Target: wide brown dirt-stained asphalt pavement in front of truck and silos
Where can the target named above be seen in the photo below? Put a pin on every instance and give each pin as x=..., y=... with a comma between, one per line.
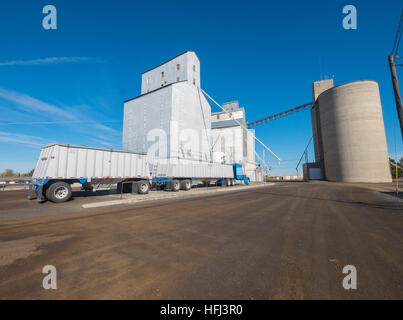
x=288, y=241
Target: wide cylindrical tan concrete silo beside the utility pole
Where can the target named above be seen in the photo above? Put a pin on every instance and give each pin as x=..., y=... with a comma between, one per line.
x=353, y=133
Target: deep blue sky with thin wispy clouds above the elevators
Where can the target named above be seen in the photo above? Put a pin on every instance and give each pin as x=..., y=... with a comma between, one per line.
x=68, y=85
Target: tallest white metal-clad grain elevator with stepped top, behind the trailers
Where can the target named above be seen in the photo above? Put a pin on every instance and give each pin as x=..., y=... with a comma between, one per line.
x=171, y=117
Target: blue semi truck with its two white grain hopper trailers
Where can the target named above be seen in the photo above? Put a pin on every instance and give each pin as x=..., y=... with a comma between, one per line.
x=61, y=165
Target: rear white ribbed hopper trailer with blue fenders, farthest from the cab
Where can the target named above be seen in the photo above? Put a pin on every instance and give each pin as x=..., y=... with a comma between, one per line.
x=59, y=166
